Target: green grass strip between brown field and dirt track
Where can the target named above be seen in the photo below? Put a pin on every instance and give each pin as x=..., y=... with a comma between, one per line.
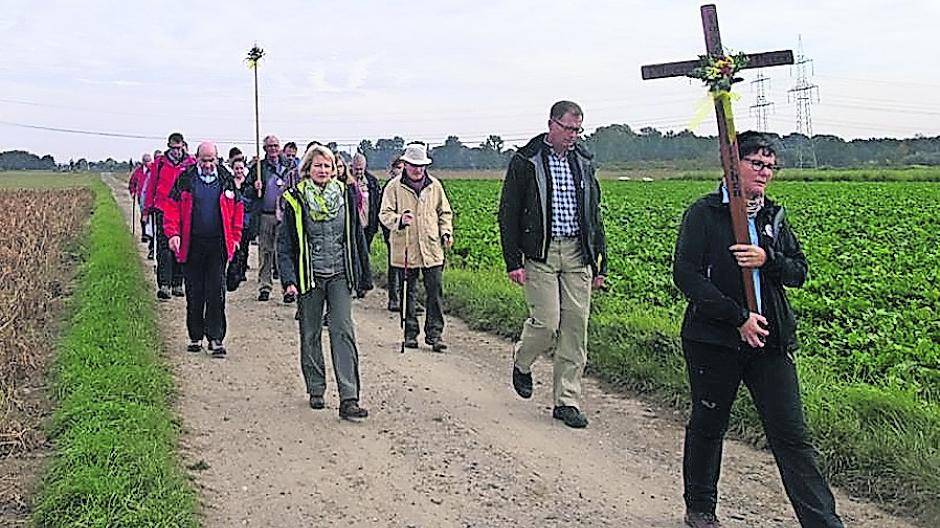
x=114, y=434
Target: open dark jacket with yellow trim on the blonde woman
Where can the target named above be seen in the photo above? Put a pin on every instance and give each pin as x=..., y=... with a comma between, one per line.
x=294, y=265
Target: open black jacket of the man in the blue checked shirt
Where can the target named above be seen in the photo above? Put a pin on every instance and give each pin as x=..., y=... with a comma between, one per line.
x=525, y=216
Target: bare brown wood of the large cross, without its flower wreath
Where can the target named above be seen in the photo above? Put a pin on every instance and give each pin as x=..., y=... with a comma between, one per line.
x=726, y=134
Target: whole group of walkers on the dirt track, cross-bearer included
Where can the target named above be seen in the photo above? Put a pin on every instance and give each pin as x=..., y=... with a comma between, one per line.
x=314, y=219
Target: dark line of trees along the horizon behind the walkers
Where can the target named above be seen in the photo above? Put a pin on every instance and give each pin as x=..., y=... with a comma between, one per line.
x=612, y=144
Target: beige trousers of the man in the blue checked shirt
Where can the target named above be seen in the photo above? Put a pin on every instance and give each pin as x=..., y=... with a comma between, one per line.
x=558, y=293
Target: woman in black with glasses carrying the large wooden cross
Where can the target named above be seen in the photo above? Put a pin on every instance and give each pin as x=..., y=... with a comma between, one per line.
x=725, y=343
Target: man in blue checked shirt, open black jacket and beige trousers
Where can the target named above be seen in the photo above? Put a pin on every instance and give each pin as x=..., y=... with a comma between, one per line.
x=553, y=243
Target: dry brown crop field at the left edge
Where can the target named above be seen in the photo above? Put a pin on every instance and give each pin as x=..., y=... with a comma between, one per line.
x=37, y=260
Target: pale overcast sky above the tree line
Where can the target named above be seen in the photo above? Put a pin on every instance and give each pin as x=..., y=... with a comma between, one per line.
x=350, y=70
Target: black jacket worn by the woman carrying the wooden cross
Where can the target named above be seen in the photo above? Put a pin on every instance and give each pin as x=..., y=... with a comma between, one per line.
x=708, y=275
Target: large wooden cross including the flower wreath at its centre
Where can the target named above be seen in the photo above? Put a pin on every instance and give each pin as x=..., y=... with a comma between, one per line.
x=717, y=69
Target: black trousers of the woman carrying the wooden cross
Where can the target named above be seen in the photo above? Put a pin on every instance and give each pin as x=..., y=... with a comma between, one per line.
x=715, y=372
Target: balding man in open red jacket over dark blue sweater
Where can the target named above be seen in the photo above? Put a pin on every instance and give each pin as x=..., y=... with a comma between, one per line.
x=203, y=216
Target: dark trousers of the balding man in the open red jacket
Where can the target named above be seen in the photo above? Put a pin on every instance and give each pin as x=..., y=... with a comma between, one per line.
x=205, y=295
